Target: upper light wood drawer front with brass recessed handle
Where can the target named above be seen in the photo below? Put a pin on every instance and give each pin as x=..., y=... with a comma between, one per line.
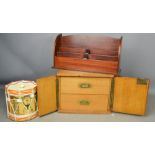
x=80, y=85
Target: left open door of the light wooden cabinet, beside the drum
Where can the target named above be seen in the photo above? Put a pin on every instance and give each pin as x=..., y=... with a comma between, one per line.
x=46, y=91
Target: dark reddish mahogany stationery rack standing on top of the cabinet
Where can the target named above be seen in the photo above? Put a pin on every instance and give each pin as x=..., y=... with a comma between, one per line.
x=91, y=53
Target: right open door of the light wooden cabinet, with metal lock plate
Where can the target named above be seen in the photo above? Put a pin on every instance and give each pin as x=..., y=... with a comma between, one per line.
x=130, y=95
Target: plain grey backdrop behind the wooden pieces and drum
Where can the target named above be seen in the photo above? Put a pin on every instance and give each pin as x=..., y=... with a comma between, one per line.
x=29, y=56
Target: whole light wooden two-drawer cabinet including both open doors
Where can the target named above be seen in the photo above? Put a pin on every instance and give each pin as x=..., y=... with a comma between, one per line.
x=81, y=92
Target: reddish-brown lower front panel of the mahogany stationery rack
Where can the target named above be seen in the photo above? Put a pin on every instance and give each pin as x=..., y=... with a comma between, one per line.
x=90, y=65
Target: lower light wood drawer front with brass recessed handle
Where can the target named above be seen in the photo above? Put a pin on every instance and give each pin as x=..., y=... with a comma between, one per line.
x=84, y=103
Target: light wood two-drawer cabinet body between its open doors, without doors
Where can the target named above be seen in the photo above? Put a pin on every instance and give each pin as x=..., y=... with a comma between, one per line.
x=83, y=94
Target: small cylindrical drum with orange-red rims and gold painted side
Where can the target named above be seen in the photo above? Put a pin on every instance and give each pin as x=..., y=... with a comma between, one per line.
x=21, y=100
